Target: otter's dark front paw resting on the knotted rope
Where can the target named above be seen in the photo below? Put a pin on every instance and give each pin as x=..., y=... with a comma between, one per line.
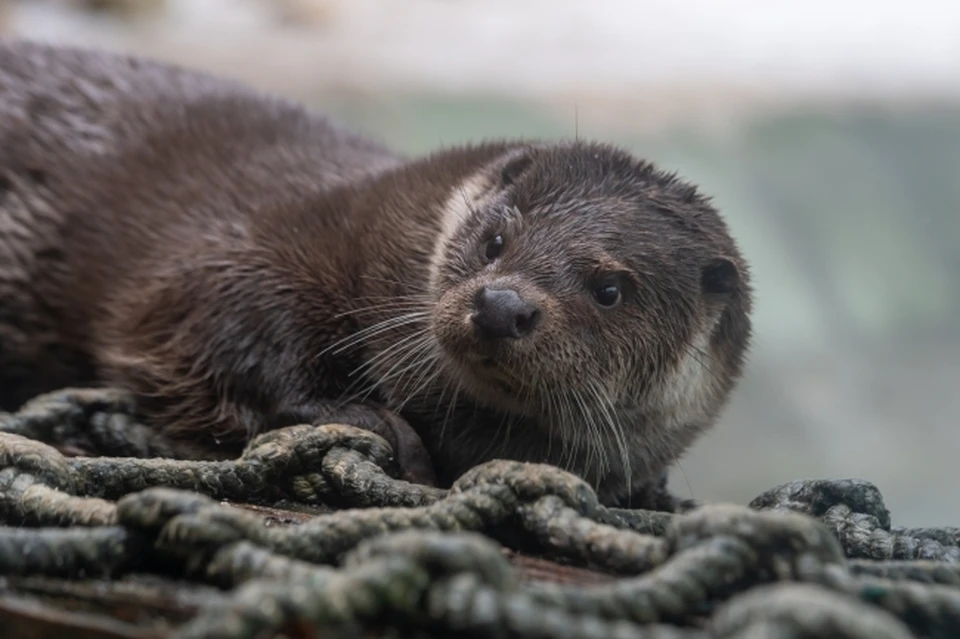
x=411, y=455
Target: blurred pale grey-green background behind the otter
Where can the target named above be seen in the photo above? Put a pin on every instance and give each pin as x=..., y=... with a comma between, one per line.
x=828, y=132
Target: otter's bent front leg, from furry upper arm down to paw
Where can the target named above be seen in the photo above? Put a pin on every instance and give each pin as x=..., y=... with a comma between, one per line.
x=216, y=355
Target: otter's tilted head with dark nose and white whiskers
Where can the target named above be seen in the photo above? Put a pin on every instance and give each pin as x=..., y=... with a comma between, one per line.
x=600, y=298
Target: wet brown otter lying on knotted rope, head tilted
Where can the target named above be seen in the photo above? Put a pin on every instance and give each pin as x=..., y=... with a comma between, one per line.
x=240, y=263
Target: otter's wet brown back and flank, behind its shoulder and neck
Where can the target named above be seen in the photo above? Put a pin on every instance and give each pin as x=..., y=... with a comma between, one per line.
x=107, y=160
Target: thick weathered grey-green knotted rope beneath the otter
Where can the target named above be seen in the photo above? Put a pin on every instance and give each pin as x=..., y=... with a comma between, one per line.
x=806, y=559
